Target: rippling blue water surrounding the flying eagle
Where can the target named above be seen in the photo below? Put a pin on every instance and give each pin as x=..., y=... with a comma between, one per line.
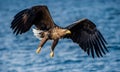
x=17, y=53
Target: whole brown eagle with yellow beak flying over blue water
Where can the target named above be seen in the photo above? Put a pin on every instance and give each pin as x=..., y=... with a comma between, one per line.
x=83, y=32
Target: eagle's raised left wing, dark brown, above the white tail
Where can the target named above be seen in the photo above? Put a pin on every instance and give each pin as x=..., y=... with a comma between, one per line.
x=37, y=15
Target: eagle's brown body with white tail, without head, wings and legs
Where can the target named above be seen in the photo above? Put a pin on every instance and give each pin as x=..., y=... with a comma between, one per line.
x=53, y=34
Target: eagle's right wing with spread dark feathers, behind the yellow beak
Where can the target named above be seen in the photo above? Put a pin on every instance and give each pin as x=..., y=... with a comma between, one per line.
x=85, y=33
